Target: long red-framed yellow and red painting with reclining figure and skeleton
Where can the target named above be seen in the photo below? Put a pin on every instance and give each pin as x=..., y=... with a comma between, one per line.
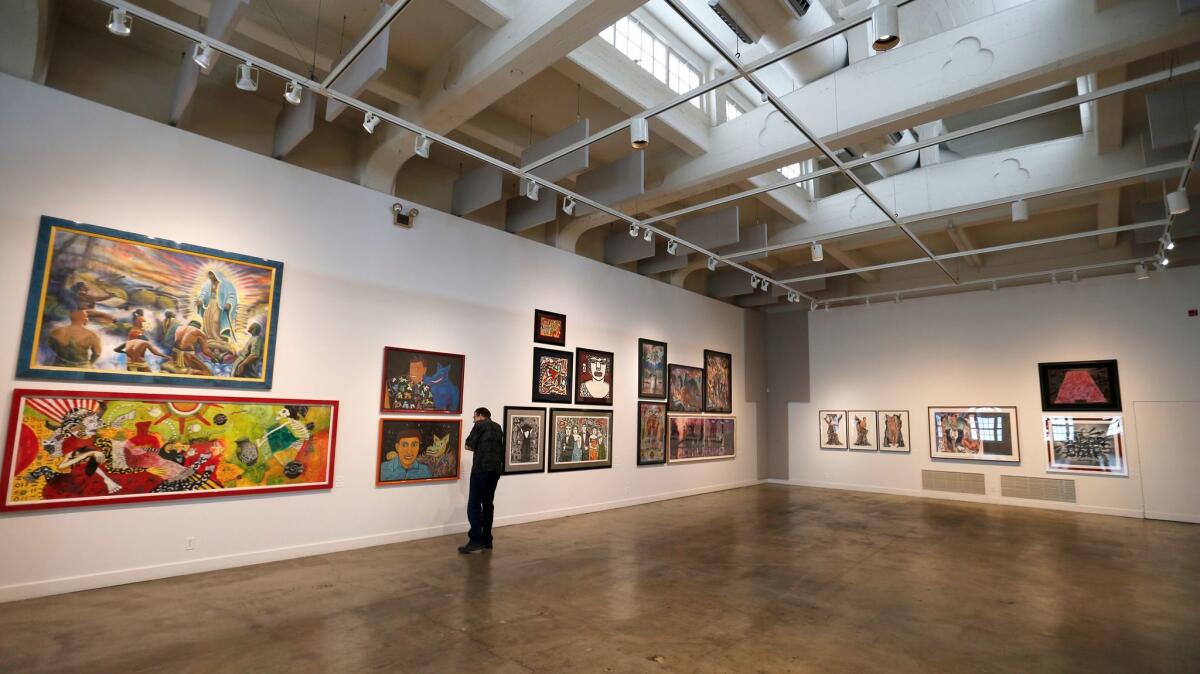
x=75, y=449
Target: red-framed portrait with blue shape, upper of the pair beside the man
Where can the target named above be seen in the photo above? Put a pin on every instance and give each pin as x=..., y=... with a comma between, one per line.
x=417, y=382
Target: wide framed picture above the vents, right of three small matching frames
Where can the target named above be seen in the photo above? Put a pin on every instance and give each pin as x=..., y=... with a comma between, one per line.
x=976, y=434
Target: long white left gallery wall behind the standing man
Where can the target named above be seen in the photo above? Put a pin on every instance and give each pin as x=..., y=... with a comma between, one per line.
x=352, y=285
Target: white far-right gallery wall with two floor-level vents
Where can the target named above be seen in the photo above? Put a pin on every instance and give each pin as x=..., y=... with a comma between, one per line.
x=983, y=350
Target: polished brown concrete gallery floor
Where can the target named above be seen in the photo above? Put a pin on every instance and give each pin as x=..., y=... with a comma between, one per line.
x=767, y=579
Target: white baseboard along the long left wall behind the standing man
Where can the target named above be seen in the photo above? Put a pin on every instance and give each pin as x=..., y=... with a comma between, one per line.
x=135, y=575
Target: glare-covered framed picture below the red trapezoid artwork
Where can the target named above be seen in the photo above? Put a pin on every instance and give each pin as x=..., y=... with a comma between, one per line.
x=1090, y=444
